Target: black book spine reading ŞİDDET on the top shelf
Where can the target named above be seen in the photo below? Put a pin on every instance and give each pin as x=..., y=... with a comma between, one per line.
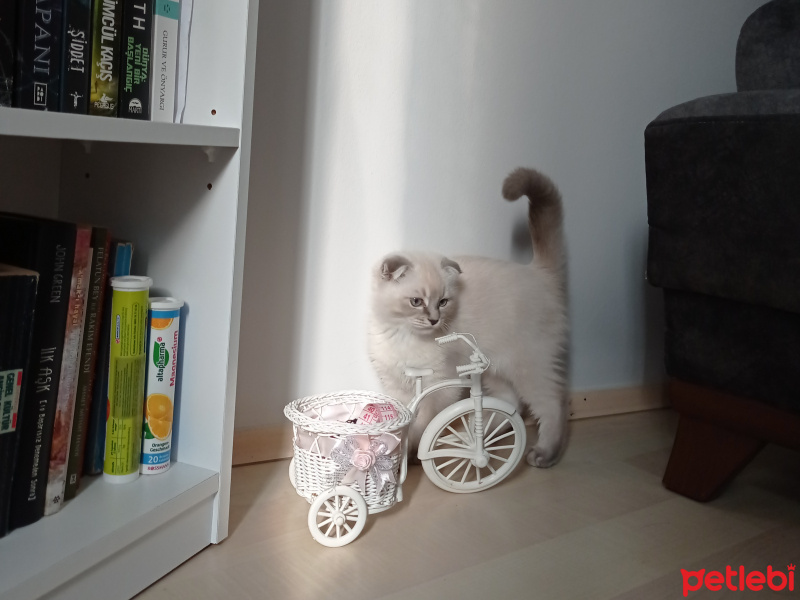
x=76, y=63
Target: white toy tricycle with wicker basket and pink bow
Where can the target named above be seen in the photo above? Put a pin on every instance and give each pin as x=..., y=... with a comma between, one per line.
x=348, y=465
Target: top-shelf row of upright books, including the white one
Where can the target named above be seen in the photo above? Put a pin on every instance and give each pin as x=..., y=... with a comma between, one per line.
x=113, y=58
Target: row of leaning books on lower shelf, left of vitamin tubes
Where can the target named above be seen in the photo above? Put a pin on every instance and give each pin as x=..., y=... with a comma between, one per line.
x=54, y=320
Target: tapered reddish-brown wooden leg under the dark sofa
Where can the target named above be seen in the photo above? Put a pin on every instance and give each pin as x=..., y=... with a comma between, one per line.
x=705, y=457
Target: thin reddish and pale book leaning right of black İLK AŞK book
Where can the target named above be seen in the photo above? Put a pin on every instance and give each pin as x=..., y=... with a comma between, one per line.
x=70, y=365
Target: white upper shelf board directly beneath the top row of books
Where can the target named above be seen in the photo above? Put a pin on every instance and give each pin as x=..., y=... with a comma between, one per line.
x=36, y=124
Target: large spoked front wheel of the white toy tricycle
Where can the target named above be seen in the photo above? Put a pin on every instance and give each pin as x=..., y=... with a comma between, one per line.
x=448, y=449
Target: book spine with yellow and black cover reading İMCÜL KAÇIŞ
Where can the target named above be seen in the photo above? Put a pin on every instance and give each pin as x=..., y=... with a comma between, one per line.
x=104, y=80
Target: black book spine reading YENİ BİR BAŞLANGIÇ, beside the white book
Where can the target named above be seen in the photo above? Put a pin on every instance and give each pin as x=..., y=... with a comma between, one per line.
x=137, y=33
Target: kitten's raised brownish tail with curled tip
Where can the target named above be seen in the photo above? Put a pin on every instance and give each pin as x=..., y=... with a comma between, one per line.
x=545, y=214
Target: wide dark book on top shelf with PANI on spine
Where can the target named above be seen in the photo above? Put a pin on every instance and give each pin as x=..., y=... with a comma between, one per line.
x=37, y=73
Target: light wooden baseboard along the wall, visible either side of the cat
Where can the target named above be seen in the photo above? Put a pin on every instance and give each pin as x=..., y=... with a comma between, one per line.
x=274, y=442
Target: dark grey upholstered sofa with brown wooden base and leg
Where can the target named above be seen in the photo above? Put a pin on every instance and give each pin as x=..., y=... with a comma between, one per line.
x=723, y=196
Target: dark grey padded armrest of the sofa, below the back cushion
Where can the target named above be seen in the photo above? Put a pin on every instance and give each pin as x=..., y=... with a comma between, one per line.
x=723, y=194
